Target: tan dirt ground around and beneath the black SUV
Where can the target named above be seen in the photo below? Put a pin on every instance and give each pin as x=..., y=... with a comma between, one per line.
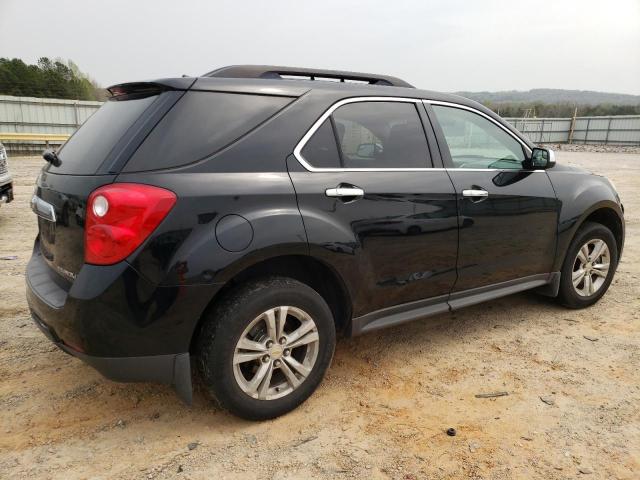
x=572, y=377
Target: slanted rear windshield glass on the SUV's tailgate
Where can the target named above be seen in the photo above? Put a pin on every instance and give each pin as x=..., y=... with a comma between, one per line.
x=85, y=151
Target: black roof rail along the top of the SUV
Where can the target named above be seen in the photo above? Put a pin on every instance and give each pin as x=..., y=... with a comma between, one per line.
x=288, y=73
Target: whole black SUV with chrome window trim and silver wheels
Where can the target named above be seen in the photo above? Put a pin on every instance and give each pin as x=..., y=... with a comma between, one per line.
x=245, y=217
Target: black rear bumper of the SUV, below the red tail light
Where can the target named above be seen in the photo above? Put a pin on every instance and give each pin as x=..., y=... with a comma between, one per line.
x=115, y=321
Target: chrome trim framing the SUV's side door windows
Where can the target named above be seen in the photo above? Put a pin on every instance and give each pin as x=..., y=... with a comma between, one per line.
x=297, y=151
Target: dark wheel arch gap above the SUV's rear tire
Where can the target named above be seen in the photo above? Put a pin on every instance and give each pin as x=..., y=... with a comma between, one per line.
x=304, y=268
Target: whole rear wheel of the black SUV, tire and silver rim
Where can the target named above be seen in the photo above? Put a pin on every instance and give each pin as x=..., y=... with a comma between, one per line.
x=266, y=347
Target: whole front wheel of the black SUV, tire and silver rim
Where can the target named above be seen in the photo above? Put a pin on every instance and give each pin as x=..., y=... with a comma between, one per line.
x=589, y=266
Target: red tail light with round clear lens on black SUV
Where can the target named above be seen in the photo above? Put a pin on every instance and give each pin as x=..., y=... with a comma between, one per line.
x=120, y=217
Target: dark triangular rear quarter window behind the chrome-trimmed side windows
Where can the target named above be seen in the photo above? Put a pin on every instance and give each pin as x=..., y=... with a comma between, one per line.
x=201, y=124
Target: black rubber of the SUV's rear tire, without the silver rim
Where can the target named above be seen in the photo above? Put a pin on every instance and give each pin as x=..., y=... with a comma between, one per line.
x=217, y=345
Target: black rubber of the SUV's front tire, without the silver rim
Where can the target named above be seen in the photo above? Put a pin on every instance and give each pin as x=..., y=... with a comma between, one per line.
x=567, y=295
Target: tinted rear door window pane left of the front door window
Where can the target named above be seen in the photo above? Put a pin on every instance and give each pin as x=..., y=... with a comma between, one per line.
x=381, y=135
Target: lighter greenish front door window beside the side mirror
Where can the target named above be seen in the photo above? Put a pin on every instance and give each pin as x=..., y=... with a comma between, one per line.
x=475, y=142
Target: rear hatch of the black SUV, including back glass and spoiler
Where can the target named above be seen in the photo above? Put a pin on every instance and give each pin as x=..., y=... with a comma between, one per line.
x=93, y=157
